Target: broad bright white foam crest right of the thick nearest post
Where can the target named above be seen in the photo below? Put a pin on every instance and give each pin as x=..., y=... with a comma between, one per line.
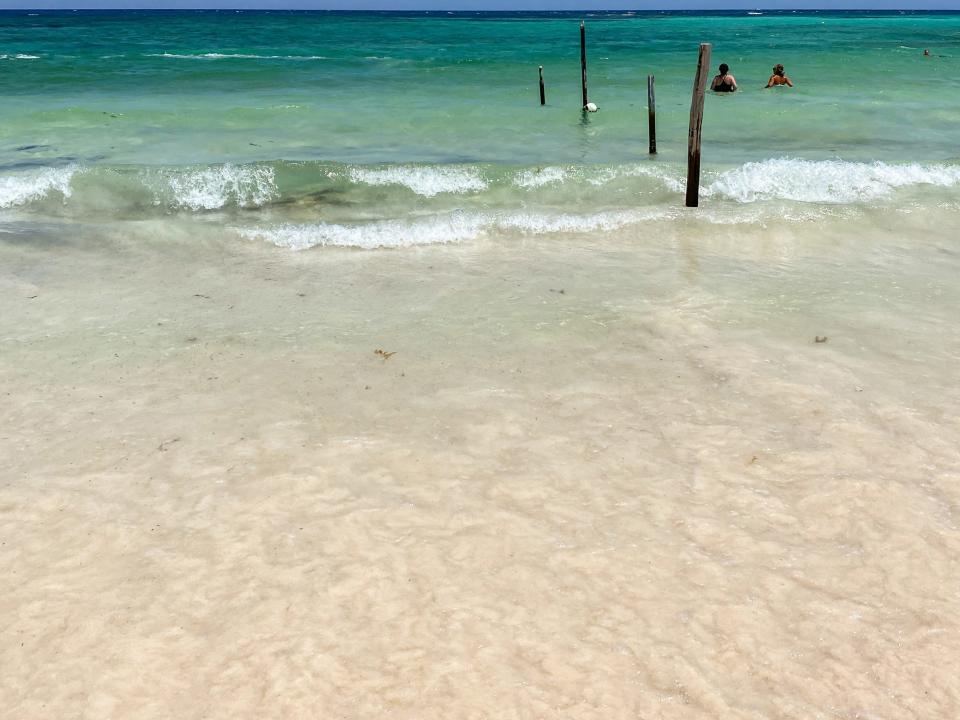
x=830, y=181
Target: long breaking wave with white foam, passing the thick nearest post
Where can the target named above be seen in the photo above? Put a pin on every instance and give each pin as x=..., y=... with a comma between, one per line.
x=346, y=195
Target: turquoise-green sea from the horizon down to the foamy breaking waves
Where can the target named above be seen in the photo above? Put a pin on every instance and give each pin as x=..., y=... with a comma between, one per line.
x=353, y=118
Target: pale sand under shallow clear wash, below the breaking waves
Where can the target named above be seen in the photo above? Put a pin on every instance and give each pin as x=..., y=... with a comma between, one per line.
x=602, y=477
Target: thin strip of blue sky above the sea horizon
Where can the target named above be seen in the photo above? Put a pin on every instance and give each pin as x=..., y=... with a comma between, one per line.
x=488, y=4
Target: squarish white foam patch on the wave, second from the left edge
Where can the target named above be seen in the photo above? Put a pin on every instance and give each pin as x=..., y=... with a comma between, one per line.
x=215, y=187
